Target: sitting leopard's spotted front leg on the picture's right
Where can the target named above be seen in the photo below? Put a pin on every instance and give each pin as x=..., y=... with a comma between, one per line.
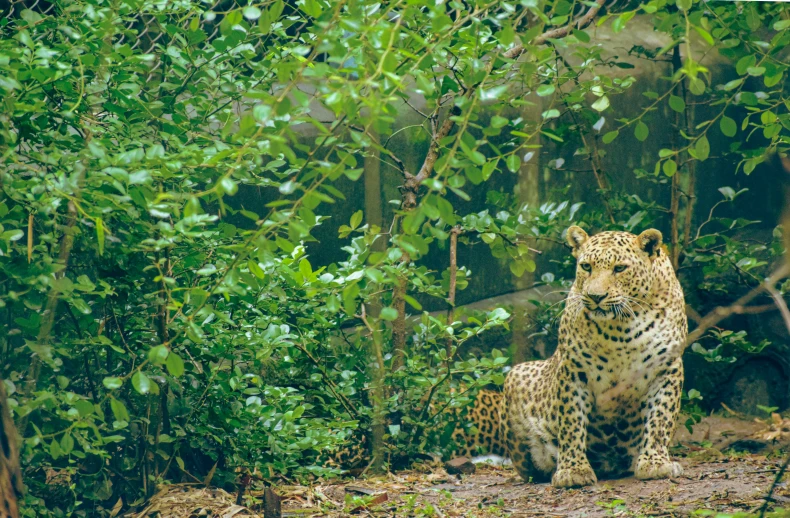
x=660, y=414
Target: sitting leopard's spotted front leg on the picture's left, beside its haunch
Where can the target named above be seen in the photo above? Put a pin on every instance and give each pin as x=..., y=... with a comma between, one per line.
x=572, y=408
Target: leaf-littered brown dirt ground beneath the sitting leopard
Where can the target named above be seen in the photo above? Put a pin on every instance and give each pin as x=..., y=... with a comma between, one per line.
x=717, y=481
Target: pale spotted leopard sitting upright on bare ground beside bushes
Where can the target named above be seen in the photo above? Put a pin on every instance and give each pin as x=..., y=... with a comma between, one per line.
x=606, y=402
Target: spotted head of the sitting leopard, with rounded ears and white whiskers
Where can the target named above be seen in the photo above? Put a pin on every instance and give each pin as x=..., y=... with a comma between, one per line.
x=614, y=272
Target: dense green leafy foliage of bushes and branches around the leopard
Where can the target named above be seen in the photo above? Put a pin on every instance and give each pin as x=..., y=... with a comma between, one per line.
x=156, y=327
